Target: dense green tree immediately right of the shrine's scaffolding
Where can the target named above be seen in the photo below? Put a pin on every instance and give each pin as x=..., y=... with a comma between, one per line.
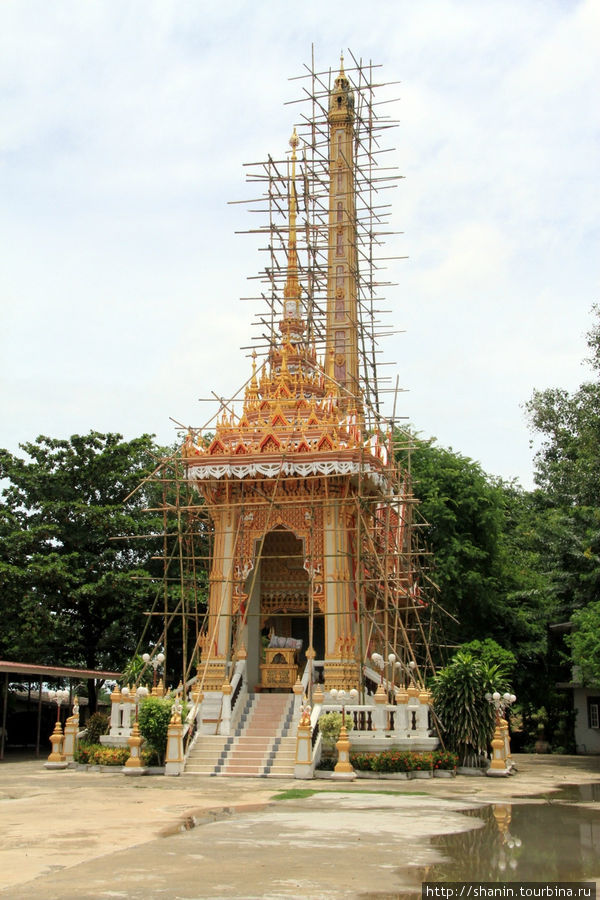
x=485, y=562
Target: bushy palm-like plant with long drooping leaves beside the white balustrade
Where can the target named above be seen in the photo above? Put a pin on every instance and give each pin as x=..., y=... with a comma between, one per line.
x=466, y=718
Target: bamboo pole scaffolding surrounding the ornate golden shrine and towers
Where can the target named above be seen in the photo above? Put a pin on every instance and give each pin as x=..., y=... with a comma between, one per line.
x=385, y=553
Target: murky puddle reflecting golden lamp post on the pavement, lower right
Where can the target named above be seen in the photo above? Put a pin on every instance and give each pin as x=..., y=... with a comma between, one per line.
x=535, y=841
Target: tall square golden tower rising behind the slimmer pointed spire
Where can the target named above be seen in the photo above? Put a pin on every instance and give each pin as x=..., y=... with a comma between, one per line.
x=341, y=358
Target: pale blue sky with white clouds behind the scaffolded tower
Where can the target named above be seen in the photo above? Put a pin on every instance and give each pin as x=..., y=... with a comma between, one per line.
x=124, y=127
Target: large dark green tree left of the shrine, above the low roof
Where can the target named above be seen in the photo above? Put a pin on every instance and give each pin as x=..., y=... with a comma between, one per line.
x=67, y=591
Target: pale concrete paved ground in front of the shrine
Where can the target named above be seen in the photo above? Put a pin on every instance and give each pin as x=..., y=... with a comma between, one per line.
x=71, y=834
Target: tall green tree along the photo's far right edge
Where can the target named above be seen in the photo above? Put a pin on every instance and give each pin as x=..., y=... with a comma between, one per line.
x=566, y=531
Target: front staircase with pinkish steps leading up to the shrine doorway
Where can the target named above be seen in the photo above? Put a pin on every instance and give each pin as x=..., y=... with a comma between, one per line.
x=263, y=746
